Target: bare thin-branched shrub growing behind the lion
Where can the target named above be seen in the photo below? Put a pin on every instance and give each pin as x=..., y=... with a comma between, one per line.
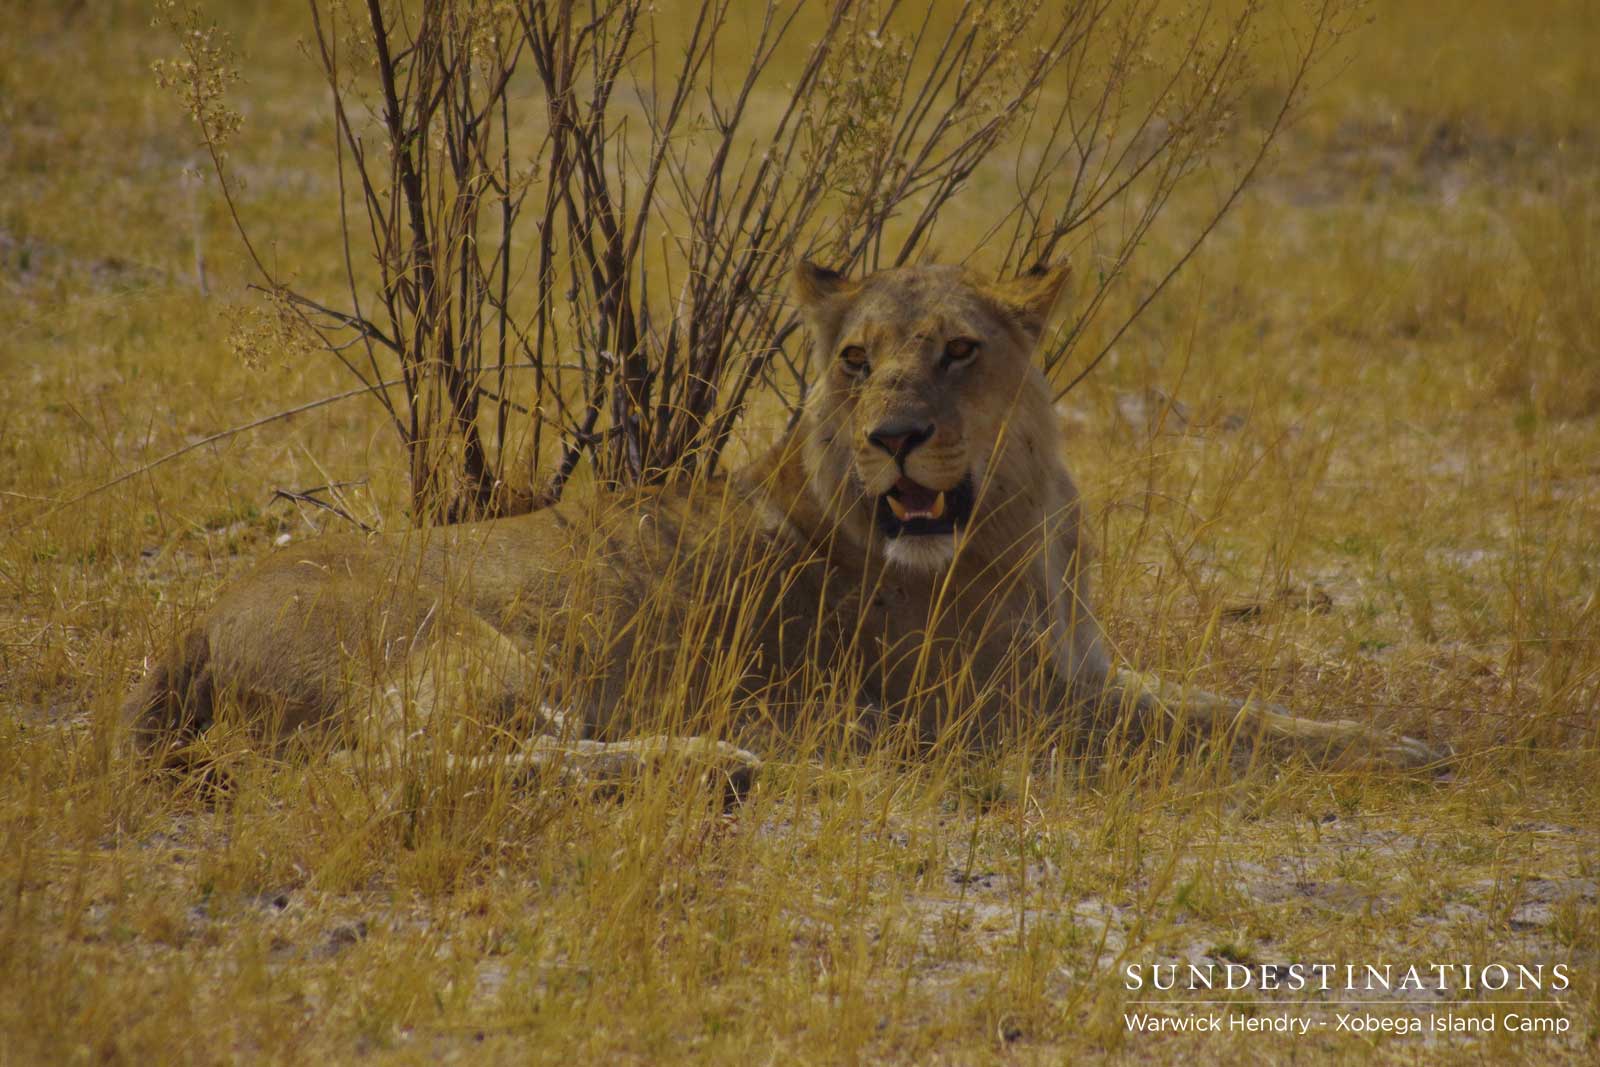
x=569, y=225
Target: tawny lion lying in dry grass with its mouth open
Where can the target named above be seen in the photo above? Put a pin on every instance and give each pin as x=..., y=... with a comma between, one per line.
x=908, y=556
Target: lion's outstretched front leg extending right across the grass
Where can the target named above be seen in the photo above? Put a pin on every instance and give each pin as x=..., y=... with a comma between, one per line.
x=1338, y=743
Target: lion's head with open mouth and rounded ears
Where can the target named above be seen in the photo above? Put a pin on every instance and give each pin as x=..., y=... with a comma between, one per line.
x=930, y=423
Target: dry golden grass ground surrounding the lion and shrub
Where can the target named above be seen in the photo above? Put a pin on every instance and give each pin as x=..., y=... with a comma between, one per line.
x=1353, y=460
